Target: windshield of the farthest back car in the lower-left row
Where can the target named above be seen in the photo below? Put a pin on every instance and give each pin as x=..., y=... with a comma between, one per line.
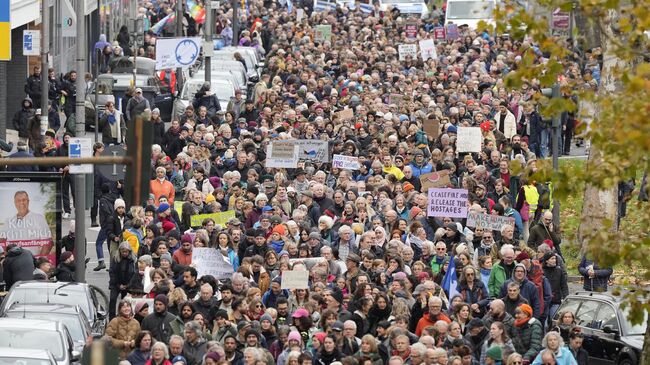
x=67, y=295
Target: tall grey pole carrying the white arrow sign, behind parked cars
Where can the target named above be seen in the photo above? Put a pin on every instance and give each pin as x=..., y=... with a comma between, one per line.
x=80, y=180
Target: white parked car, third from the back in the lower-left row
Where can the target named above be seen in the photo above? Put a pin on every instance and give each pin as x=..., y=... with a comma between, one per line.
x=39, y=334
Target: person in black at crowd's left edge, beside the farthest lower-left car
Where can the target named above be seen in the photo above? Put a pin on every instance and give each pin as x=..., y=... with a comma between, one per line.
x=120, y=274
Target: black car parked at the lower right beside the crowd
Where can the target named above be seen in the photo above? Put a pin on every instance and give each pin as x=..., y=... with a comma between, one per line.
x=609, y=337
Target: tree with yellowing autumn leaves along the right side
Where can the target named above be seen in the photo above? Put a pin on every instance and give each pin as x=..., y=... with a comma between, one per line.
x=620, y=129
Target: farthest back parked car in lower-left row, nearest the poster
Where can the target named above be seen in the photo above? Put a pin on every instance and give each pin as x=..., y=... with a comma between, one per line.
x=92, y=300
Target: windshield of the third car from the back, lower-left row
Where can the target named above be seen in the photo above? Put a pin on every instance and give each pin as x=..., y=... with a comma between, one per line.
x=33, y=339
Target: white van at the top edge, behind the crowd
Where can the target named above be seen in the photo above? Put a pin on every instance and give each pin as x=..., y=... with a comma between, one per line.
x=470, y=12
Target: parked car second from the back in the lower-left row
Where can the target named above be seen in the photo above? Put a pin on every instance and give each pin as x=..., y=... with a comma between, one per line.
x=71, y=316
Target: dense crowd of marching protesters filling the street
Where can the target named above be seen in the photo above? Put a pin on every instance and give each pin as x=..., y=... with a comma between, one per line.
x=378, y=264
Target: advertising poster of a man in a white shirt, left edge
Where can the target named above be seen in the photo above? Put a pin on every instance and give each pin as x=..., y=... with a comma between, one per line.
x=31, y=217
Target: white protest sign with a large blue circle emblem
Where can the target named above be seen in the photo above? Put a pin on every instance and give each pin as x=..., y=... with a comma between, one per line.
x=177, y=52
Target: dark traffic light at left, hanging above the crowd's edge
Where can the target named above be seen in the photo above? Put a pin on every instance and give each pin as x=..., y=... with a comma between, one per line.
x=139, y=139
